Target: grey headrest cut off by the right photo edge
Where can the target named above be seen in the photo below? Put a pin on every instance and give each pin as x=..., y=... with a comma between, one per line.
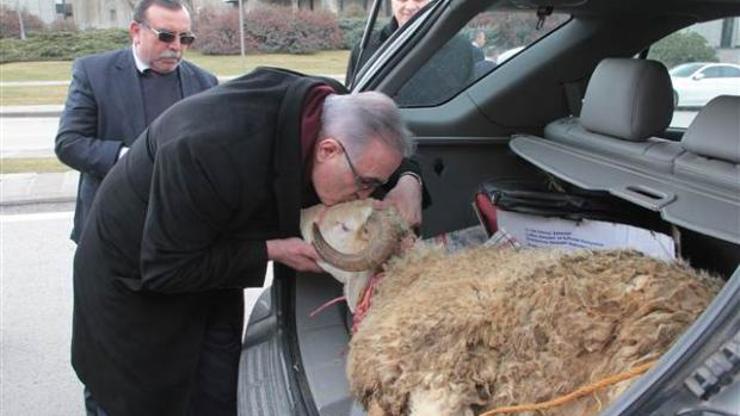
x=715, y=132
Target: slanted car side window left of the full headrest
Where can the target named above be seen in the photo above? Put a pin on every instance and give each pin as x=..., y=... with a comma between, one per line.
x=487, y=41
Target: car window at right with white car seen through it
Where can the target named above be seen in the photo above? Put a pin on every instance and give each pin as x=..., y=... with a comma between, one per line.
x=697, y=50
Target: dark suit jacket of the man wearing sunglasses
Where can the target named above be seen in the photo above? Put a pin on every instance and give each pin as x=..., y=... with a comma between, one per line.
x=104, y=111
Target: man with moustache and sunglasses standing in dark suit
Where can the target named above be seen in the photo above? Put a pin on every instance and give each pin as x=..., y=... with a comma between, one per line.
x=115, y=95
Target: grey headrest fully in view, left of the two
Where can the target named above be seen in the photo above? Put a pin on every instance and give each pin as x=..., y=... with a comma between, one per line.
x=631, y=99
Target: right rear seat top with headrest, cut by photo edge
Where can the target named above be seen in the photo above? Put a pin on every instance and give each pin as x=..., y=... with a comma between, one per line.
x=712, y=145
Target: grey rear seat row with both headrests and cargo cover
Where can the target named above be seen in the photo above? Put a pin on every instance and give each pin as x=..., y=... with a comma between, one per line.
x=694, y=184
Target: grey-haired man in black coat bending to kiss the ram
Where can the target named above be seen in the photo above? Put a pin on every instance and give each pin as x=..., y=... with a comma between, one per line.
x=208, y=194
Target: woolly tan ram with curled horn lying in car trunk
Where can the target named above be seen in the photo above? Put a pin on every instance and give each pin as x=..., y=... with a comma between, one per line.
x=456, y=334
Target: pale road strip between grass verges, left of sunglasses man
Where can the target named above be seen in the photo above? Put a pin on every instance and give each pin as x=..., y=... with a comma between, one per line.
x=27, y=137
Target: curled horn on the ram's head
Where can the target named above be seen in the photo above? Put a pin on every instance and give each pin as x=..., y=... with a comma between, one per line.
x=384, y=235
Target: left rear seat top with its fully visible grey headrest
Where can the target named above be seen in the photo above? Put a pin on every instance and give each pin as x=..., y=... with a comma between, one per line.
x=627, y=102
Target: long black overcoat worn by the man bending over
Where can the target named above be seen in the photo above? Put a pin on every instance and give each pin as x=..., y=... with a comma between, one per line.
x=178, y=227
